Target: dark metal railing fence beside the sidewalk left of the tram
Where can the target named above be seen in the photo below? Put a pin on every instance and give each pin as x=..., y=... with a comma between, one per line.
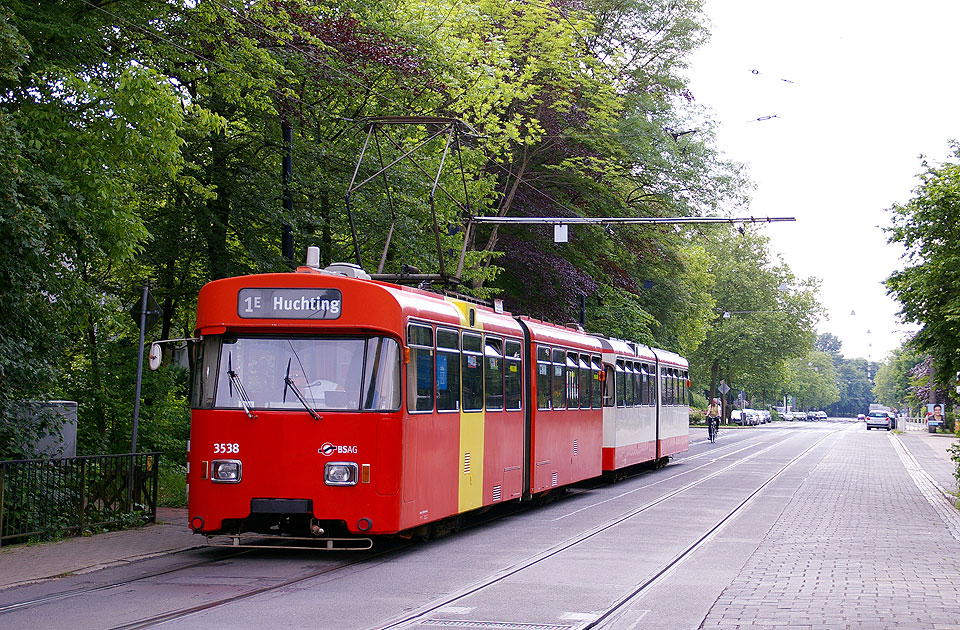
x=47, y=497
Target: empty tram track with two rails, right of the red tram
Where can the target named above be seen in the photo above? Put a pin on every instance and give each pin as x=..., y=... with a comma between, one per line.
x=421, y=617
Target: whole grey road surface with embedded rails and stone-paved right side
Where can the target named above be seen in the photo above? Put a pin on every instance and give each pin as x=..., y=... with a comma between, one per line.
x=812, y=525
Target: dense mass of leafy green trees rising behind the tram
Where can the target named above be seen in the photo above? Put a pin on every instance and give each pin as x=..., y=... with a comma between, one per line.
x=144, y=142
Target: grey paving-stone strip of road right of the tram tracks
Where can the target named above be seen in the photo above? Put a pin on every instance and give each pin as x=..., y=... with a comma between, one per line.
x=858, y=547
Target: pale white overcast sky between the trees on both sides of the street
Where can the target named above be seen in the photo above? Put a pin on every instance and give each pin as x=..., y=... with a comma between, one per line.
x=859, y=90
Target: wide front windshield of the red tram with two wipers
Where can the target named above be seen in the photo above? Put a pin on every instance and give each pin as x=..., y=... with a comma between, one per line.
x=332, y=374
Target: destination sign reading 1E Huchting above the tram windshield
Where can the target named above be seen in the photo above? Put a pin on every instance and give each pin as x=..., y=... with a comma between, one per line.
x=289, y=303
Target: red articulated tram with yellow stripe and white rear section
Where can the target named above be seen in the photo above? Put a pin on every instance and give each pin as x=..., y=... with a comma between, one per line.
x=340, y=408
